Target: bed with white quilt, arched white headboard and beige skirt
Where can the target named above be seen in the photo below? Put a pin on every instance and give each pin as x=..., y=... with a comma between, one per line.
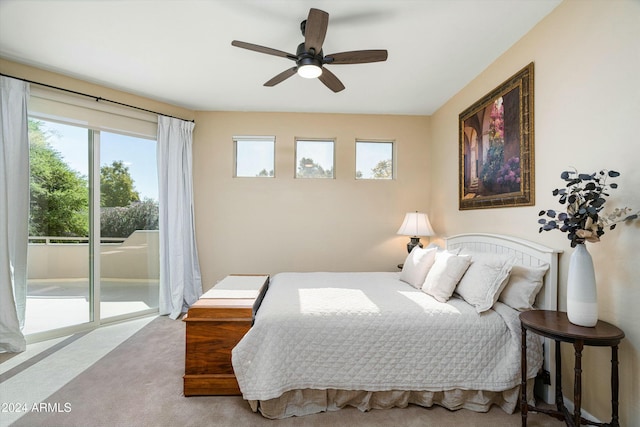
x=325, y=340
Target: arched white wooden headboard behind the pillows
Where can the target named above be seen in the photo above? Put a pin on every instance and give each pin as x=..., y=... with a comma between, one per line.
x=529, y=254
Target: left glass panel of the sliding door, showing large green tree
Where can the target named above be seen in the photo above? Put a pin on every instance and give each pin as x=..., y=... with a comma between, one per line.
x=58, y=290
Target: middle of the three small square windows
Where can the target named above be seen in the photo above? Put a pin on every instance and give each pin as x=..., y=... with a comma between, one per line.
x=314, y=158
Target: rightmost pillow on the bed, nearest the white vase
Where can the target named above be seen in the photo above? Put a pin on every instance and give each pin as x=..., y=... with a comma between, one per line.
x=523, y=286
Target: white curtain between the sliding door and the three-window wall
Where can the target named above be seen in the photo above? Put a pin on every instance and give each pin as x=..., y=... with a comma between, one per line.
x=180, y=281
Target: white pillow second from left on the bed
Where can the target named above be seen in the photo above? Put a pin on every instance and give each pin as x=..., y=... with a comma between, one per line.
x=445, y=274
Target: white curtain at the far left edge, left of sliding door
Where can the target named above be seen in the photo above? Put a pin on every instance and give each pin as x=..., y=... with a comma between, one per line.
x=14, y=212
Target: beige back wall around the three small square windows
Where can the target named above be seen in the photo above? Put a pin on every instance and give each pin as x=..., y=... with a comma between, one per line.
x=252, y=225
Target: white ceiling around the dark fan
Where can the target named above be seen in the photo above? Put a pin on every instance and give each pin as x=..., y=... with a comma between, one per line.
x=180, y=51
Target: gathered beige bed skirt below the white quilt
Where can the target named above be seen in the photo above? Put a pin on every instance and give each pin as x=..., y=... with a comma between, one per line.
x=311, y=401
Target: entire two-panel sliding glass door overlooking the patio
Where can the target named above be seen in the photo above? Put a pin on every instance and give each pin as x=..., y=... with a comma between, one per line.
x=93, y=227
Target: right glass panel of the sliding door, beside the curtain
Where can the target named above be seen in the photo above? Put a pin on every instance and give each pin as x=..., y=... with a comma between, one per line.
x=129, y=253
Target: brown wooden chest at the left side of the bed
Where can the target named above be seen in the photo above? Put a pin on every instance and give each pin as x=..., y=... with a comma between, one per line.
x=214, y=325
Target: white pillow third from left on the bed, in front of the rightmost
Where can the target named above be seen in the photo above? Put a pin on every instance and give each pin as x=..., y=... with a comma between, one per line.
x=485, y=278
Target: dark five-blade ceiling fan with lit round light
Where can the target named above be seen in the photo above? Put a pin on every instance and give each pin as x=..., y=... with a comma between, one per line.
x=309, y=57
